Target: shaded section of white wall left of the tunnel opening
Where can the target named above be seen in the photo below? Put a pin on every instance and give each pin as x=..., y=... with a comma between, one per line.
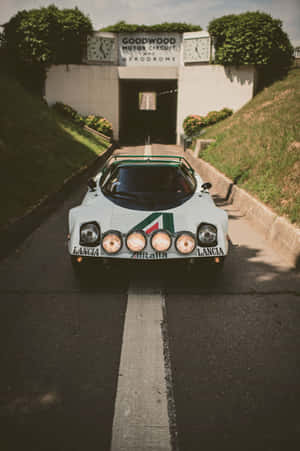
x=87, y=89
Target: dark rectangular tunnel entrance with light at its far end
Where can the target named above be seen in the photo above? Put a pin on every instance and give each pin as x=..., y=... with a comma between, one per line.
x=148, y=108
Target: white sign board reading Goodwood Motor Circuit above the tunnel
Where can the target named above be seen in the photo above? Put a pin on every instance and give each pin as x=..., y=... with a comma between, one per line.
x=149, y=49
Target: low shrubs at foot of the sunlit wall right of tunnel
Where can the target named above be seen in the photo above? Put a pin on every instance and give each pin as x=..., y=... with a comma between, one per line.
x=193, y=123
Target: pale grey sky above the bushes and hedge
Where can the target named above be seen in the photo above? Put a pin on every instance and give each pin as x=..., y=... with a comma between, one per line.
x=197, y=12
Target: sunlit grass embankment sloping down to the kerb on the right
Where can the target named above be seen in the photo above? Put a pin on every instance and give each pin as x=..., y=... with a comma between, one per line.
x=259, y=146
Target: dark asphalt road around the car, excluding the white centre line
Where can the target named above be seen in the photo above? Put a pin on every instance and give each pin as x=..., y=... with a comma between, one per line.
x=234, y=345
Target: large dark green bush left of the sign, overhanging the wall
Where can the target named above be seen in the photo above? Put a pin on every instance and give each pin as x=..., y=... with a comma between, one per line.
x=37, y=38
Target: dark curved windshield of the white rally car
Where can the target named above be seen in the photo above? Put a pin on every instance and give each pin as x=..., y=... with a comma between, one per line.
x=150, y=179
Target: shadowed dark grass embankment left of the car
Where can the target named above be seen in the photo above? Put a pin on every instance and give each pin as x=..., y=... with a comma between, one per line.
x=38, y=150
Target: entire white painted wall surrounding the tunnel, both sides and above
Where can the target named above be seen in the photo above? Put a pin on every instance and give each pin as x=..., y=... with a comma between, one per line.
x=94, y=89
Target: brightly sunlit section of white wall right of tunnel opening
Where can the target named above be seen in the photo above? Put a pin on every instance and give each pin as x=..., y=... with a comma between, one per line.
x=203, y=88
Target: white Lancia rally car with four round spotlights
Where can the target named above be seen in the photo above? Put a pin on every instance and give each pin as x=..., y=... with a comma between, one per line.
x=147, y=208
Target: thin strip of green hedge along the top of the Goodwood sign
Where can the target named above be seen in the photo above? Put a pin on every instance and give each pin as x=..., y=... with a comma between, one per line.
x=175, y=27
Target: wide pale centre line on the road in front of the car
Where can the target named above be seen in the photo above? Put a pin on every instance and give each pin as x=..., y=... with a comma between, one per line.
x=141, y=420
